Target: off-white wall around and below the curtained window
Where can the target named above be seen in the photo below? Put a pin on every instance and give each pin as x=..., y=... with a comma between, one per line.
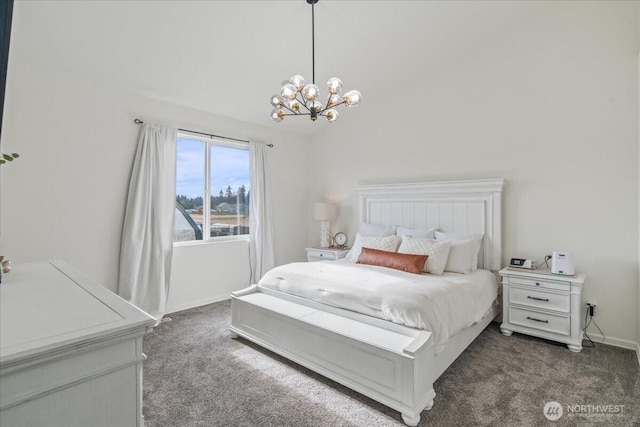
x=64, y=198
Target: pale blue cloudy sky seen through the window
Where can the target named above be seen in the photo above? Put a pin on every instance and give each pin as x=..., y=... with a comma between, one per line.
x=229, y=166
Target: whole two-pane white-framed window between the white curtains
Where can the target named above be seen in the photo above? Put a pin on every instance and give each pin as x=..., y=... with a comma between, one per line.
x=212, y=189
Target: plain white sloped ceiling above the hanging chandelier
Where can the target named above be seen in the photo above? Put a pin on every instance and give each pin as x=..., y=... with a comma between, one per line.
x=229, y=57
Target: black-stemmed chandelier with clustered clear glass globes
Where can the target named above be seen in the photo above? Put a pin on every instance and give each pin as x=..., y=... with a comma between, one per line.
x=300, y=98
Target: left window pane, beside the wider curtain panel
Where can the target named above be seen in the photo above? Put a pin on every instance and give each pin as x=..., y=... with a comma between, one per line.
x=189, y=190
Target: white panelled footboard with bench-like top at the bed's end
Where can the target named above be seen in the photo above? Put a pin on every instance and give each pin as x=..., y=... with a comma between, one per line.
x=389, y=363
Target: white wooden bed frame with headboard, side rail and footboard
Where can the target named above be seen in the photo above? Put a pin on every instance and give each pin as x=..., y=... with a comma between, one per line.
x=387, y=362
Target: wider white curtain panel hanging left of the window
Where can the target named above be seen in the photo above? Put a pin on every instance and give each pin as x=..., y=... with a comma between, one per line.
x=147, y=235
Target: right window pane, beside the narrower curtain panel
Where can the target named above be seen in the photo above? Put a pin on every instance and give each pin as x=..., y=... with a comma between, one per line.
x=229, y=191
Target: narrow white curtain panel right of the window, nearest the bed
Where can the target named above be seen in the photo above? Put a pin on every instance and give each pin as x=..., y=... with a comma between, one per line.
x=260, y=224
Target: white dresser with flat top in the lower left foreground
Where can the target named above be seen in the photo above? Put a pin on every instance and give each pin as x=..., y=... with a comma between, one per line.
x=70, y=351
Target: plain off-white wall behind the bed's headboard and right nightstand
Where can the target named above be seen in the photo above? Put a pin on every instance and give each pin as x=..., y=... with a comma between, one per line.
x=551, y=105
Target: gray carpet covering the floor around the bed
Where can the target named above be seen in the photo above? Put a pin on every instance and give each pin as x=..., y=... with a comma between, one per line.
x=196, y=375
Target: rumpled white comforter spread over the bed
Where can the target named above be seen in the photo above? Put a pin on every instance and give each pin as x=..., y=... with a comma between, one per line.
x=443, y=305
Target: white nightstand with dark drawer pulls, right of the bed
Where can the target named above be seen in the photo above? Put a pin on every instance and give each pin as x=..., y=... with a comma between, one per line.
x=535, y=302
